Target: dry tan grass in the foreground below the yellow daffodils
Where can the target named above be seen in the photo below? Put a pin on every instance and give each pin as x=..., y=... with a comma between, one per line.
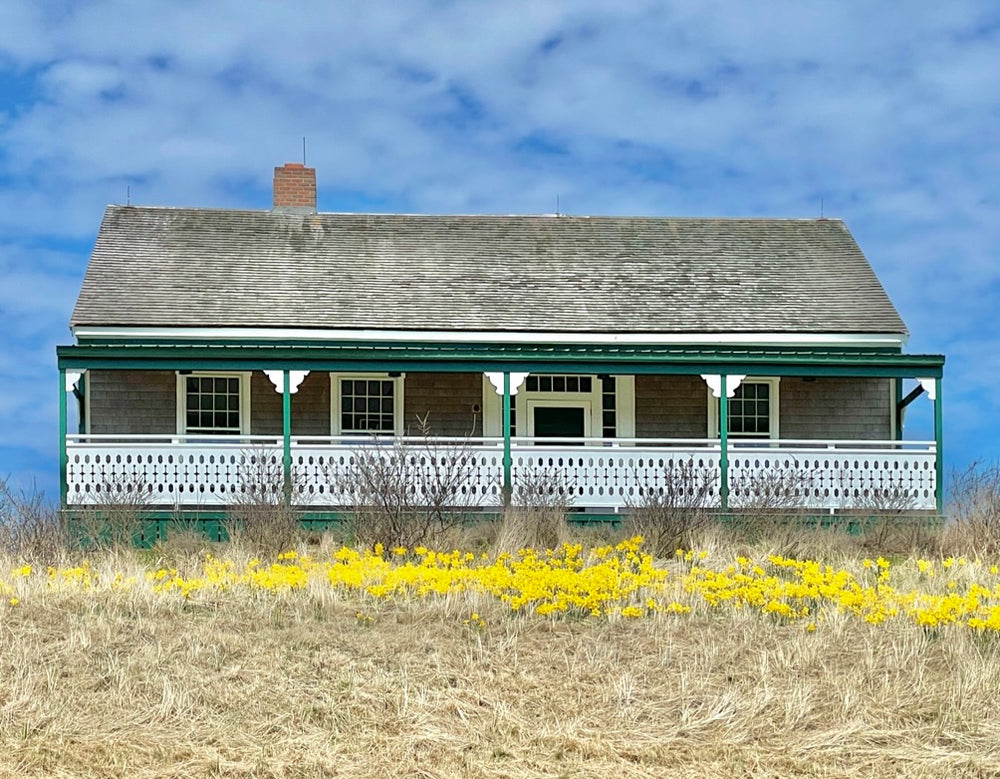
x=315, y=684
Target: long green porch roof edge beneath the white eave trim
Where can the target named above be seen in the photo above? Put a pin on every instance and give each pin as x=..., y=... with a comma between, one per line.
x=612, y=359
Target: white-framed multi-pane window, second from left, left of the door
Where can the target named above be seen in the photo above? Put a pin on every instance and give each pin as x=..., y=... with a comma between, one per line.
x=369, y=404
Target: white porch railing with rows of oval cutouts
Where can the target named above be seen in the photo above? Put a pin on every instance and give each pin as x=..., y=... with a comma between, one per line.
x=594, y=473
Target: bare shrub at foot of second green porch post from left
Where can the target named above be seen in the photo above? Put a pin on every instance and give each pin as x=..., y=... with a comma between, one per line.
x=261, y=515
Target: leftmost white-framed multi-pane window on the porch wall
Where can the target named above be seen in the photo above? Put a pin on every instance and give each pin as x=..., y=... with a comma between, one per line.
x=213, y=404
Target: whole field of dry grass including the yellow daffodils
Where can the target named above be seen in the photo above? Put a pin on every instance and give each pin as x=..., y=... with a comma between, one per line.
x=723, y=660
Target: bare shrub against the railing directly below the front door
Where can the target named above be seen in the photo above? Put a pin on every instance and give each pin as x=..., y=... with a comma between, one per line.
x=536, y=516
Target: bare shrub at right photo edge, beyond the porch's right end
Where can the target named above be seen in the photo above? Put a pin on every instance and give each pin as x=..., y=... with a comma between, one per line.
x=975, y=510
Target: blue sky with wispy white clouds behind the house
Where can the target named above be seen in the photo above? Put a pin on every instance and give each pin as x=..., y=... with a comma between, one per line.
x=886, y=113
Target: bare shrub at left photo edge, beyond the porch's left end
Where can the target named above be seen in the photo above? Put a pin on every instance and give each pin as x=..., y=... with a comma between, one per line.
x=30, y=527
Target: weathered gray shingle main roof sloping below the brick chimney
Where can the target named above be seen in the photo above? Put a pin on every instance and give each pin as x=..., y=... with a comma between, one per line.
x=211, y=268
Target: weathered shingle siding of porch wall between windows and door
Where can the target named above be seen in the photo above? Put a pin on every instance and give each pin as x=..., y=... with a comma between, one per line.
x=144, y=402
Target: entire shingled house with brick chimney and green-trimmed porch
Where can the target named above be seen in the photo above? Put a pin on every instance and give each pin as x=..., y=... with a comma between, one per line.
x=613, y=354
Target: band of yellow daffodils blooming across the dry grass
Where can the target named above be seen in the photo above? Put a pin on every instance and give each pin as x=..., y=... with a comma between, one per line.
x=609, y=581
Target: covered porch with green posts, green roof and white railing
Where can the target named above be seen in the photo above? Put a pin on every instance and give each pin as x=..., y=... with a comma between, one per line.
x=602, y=463
